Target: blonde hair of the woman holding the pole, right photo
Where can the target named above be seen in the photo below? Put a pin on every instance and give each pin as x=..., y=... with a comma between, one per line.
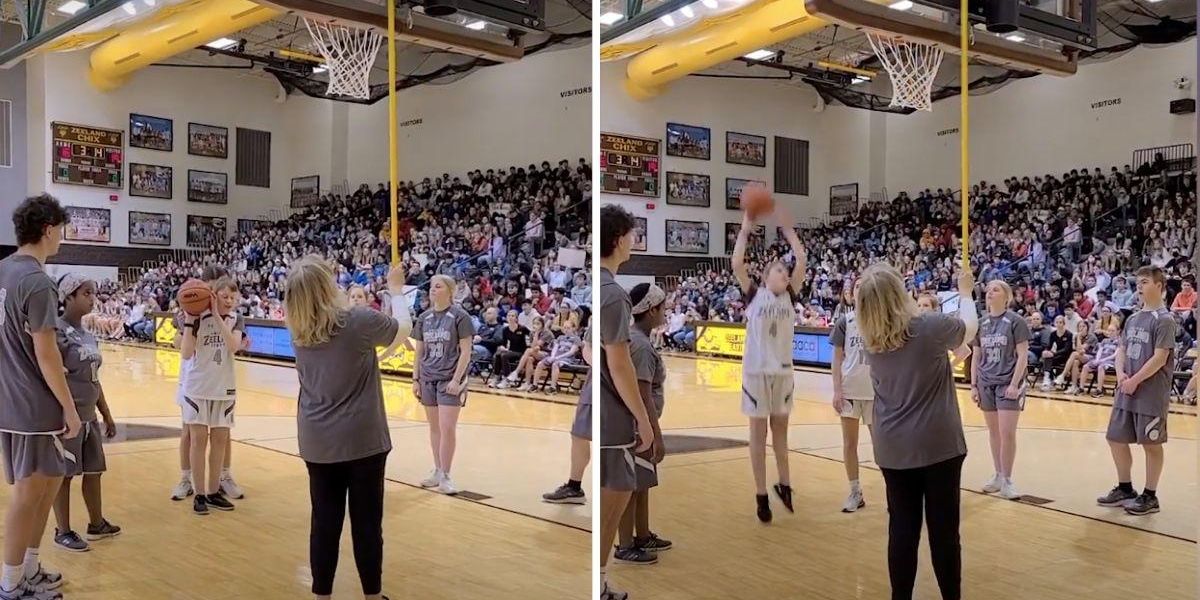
x=884, y=309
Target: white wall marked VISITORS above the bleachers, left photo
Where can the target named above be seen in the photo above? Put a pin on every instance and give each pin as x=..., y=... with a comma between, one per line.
x=537, y=110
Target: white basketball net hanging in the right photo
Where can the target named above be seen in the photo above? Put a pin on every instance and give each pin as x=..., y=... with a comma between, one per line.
x=913, y=68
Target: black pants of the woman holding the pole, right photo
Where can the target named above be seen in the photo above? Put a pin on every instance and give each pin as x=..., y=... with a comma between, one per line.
x=935, y=491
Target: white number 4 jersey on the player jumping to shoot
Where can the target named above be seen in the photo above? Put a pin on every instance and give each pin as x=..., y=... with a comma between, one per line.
x=771, y=328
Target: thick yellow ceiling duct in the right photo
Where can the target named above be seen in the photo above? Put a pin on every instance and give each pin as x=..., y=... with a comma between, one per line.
x=703, y=47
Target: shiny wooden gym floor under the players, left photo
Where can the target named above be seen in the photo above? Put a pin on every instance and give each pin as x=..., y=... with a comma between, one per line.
x=507, y=544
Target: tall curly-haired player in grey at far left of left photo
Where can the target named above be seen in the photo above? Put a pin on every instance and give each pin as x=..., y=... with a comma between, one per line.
x=37, y=409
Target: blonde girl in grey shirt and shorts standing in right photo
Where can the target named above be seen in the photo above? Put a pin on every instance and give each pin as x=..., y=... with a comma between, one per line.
x=998, y=382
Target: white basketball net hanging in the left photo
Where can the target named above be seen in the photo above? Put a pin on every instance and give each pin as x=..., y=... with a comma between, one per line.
x=350, y=55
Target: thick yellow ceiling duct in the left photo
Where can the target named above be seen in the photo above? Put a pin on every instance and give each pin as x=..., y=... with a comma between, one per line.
x=154, y=40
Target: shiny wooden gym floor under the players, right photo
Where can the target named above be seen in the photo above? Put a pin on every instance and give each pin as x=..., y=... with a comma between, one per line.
x=1065, y=549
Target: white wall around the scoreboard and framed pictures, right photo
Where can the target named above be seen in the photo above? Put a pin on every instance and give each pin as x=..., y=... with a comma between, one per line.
x=839, y=145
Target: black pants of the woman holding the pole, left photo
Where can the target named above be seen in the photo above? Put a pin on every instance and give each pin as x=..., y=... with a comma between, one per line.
x=329, y=485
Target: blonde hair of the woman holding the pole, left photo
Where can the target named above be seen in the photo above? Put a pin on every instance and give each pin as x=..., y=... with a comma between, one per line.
x=314, y=305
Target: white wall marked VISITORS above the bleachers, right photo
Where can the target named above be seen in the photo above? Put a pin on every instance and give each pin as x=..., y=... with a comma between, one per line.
x=1049, y=124
